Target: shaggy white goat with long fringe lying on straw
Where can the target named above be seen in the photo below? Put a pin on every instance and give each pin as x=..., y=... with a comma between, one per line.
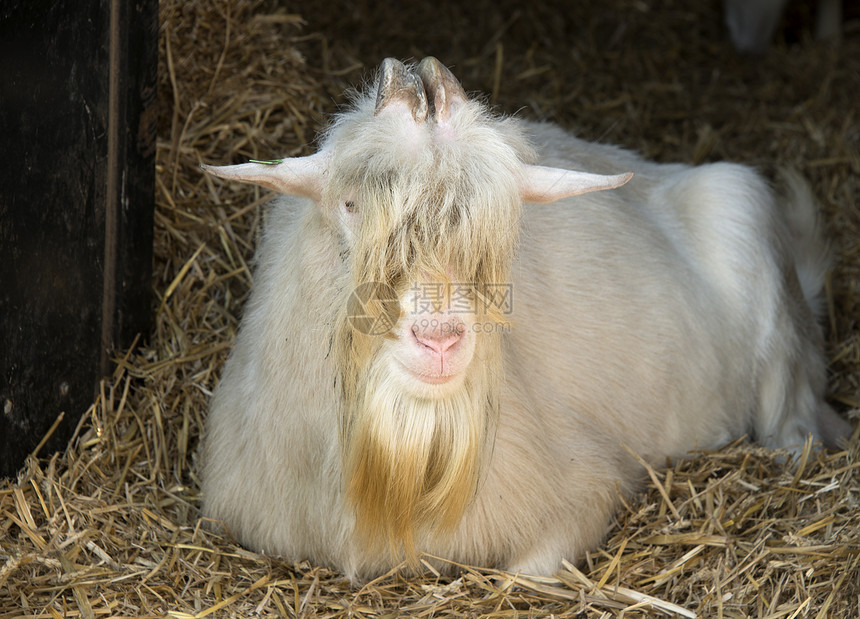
x=524, y=348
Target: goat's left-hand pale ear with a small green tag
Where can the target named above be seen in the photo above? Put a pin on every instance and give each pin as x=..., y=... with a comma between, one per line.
x=298, y=176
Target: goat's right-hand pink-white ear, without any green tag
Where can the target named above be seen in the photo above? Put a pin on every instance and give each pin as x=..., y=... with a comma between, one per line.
x=543, y=184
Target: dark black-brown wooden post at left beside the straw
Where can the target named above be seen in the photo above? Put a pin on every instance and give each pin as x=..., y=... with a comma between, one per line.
x=77, y=118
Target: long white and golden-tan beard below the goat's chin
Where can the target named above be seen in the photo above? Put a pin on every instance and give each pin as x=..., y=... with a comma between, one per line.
x=413, y=464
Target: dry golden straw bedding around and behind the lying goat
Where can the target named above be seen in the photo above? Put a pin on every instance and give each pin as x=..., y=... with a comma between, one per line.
x=111, y=527
